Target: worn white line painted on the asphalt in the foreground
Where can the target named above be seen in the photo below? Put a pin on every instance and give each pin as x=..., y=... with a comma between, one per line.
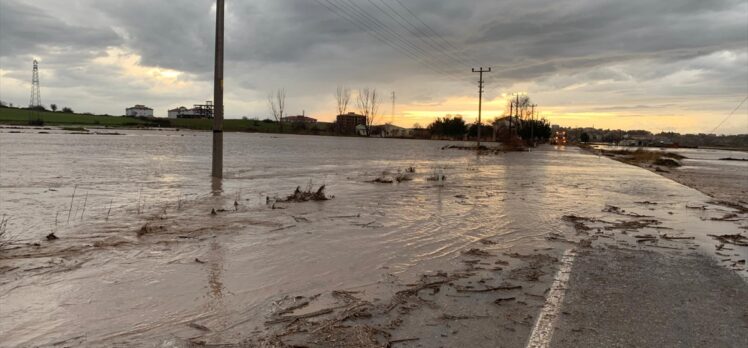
x=542, y=333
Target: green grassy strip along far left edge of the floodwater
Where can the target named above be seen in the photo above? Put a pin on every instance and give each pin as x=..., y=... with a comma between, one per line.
x=12, y=116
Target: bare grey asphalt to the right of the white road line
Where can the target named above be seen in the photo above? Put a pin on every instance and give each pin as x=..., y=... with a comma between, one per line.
x=624, y=298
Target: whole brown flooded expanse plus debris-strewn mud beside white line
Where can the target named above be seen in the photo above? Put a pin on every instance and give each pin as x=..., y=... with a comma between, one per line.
x=141, y=259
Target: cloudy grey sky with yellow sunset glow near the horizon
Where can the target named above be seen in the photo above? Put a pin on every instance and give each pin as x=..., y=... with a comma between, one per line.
x=674, y=65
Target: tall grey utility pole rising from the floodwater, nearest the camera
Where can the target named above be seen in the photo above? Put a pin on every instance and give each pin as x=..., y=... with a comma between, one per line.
x=218, y=95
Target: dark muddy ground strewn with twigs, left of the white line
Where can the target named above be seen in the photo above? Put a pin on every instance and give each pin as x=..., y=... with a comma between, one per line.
x=424, y=313
